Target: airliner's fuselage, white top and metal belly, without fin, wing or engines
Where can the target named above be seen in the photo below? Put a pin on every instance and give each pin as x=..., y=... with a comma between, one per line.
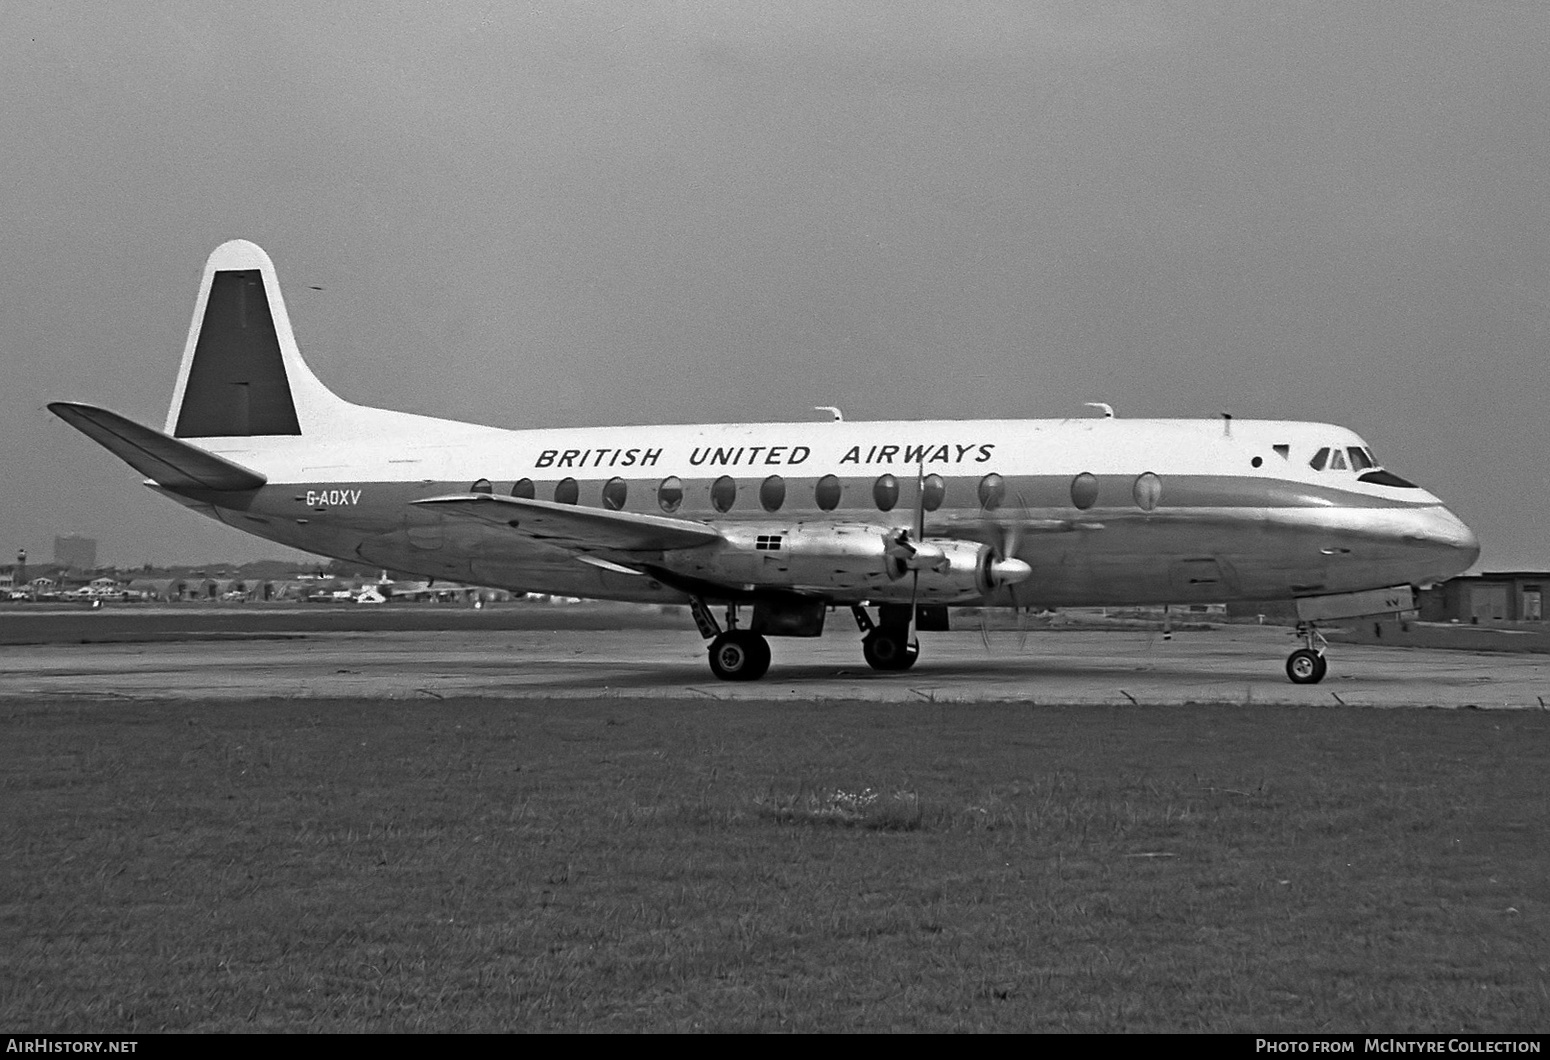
x=1106, y=512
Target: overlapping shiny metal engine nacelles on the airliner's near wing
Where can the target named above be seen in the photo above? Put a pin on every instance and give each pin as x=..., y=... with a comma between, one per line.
x=853, y=560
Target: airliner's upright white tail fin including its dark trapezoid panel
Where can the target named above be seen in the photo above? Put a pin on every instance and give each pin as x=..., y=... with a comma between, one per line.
x=243, y=373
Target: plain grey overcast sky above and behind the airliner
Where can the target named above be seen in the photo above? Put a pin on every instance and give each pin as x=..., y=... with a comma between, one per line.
x=636, y=213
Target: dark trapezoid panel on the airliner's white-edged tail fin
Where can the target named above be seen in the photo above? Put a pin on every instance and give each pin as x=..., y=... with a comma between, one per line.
x=236, y=384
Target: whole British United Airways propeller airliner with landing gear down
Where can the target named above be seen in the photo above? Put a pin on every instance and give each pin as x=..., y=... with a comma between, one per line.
x=780, y=523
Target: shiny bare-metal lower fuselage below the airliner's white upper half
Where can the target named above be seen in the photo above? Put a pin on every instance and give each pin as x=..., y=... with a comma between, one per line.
x=1103, y=557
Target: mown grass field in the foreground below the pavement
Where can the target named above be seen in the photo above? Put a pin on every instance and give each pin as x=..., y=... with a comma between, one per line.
x=701, y=866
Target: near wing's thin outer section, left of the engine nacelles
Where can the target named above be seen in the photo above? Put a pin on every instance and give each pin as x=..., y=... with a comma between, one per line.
x=579, y=529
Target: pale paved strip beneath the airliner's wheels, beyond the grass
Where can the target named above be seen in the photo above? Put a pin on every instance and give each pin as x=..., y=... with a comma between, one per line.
x=1230, y=666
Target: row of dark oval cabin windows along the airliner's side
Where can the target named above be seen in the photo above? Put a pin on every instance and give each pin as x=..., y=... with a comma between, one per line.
x=1146, y=492
